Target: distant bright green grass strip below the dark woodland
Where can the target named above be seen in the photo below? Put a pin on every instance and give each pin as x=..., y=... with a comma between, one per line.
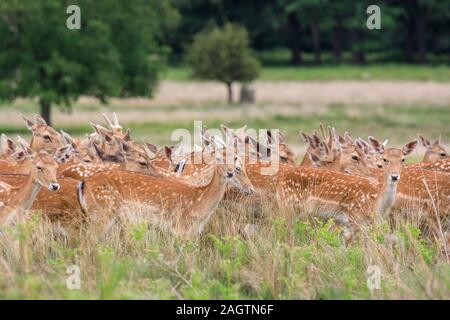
x=385, y=71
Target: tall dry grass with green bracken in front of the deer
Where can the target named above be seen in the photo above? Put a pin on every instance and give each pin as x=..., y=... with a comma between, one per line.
x=286, y=257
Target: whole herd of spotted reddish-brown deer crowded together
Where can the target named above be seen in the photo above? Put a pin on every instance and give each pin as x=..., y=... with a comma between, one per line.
x=352, y=181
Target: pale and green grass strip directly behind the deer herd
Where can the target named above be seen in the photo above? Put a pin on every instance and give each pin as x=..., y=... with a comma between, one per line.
x=155, y=123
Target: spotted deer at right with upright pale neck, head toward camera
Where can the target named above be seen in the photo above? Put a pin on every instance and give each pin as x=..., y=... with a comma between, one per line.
x=347, y=198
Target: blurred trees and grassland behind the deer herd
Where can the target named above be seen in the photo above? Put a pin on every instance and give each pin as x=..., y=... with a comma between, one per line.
x=287, y=64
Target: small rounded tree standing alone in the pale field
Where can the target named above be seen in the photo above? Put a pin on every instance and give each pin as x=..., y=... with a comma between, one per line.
x=223, y=54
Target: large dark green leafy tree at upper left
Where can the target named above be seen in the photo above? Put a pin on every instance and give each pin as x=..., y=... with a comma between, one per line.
x=115, y=53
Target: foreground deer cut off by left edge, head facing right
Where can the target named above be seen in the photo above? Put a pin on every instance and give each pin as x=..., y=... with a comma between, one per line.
x=19, y=198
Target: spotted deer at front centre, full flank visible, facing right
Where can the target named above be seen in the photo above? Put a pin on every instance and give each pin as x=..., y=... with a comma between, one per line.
x=189, y=207
